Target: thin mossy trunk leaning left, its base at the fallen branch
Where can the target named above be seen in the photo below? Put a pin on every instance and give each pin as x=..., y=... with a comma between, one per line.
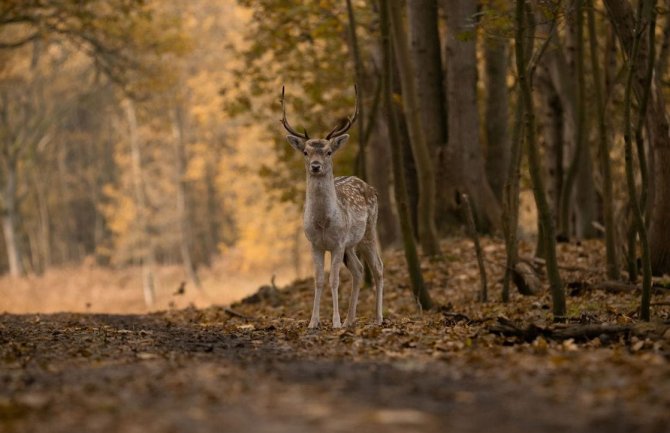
x=544, y=213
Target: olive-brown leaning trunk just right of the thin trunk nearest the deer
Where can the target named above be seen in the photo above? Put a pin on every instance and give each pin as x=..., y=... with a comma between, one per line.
x=422, y=158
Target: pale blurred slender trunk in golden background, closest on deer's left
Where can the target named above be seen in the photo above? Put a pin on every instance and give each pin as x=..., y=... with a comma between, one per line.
x=185, y=229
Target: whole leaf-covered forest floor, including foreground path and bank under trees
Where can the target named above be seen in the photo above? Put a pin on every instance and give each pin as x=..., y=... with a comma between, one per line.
x=254, y=367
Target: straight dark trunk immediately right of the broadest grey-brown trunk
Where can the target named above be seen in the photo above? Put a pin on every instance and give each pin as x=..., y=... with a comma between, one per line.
x=497, y=114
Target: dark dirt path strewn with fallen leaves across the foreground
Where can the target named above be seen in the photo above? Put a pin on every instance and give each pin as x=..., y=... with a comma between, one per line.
x=174, y=372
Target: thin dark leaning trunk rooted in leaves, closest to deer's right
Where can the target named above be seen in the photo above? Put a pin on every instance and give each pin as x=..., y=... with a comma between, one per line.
x=411, y=256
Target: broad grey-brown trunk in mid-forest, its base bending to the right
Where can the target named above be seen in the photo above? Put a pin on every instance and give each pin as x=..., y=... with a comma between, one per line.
x=464, y=151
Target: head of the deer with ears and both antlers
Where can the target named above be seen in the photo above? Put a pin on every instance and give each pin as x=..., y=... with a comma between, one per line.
x=318, y=152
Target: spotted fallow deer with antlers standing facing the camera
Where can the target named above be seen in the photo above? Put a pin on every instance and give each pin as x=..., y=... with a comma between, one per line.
x=340, y=216
